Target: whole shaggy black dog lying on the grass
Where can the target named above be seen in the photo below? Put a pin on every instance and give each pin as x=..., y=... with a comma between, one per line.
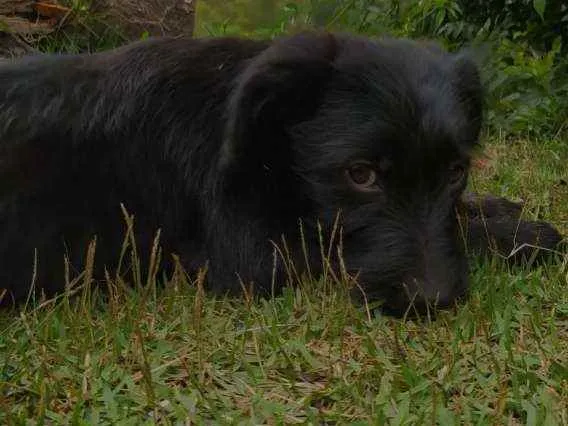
x=226, y=144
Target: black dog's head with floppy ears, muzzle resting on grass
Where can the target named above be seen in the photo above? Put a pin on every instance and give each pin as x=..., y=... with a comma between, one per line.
x=380, y=132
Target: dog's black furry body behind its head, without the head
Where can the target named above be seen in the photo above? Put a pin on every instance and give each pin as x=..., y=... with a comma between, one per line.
x=80, y=134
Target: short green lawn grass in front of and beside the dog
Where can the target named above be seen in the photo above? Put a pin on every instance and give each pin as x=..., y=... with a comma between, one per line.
x=177, y=356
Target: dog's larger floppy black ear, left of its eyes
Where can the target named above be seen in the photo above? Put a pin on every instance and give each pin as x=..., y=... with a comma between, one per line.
x=279, y=87
